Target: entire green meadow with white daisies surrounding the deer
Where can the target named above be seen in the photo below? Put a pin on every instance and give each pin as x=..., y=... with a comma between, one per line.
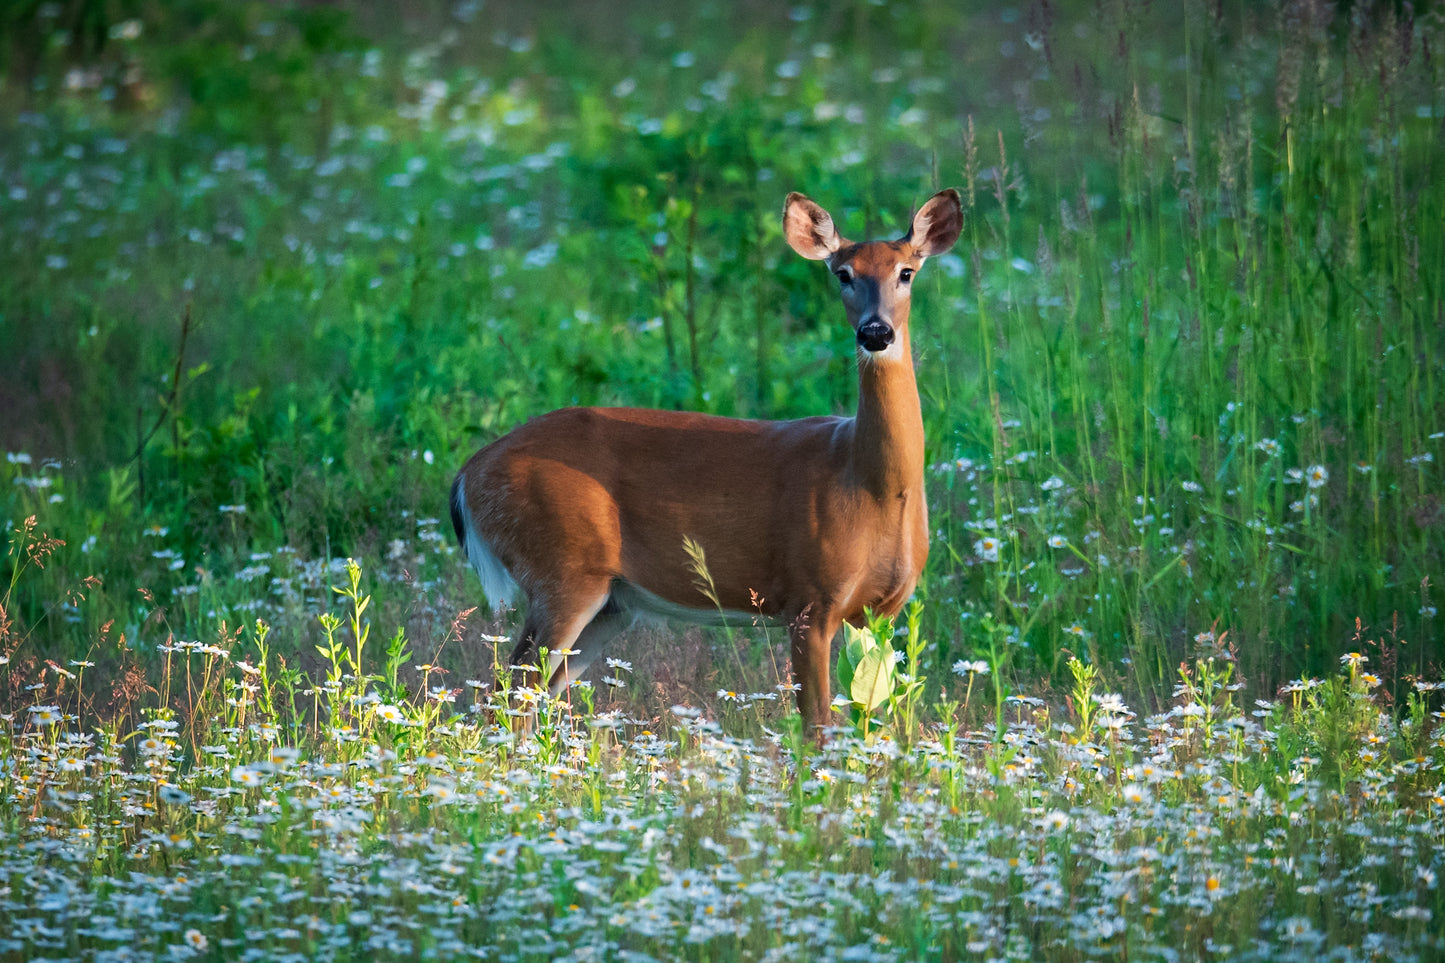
x=1170, y=688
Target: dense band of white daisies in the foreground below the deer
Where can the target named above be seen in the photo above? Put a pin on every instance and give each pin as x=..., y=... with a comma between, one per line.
x=371, y=825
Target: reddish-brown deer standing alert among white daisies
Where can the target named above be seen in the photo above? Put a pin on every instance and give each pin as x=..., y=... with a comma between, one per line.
x=810, y=523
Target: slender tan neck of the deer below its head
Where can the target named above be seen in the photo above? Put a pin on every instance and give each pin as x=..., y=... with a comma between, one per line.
x=888, y=456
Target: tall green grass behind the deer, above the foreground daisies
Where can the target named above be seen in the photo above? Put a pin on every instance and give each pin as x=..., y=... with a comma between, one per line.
x=1180, y=385
